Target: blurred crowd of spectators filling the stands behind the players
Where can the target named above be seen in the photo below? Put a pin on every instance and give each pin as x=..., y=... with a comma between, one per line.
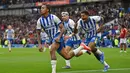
x=24, y=26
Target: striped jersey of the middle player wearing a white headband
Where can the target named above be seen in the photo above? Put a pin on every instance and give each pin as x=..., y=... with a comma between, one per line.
x=69, y=27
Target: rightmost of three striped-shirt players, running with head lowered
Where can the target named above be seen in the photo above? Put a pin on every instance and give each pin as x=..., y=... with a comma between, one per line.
x=88, y=25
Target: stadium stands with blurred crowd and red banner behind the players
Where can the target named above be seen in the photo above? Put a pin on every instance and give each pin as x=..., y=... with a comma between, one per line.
x=23, y=15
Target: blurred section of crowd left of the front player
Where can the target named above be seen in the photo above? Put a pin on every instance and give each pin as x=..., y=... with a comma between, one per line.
x=23, y=26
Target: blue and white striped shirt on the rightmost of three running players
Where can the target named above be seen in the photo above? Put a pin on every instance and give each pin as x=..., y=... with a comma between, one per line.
x=89, y=27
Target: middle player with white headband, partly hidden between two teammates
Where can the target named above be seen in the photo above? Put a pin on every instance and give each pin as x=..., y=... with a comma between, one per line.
x=73, y=40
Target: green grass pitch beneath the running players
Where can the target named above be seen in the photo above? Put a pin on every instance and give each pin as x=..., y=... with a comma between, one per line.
x=30, y=60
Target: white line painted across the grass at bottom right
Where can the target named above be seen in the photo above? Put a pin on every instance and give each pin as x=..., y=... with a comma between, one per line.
x=95, y=70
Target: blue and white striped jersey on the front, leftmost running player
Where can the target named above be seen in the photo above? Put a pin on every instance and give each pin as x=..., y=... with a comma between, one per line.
x=50, y=24
